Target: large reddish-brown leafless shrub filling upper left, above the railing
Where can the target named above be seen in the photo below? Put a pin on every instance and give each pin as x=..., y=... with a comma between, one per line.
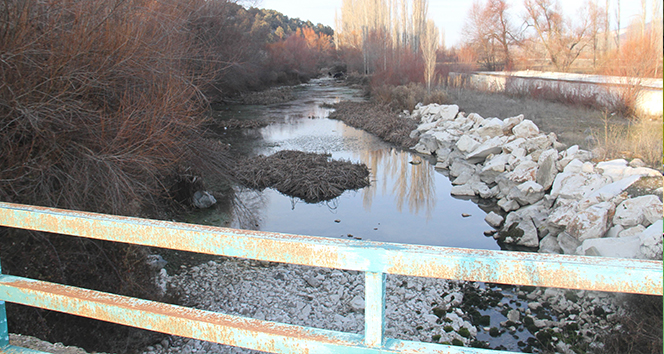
x=98, y=101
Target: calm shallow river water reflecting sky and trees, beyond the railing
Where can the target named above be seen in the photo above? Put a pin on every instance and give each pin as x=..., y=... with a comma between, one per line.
x=408, y=201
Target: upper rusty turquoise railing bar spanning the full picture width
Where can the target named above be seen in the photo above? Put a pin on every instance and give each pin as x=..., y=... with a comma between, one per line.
x=505, y=267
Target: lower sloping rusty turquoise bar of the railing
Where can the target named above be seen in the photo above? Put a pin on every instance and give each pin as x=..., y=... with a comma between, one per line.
x=200, y=324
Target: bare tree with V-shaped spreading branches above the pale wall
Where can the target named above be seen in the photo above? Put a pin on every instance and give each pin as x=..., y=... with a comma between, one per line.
x=562, y=42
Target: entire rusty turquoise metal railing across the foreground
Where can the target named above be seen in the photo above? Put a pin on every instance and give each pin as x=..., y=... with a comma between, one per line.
x=375, y=259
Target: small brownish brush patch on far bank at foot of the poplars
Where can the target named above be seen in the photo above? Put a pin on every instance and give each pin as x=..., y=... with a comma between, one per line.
x=405, y=97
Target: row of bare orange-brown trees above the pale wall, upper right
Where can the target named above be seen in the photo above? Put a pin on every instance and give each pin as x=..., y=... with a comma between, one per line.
x=544, y=37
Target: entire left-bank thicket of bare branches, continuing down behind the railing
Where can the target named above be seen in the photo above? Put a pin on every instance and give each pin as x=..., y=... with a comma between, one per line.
x=102, y=107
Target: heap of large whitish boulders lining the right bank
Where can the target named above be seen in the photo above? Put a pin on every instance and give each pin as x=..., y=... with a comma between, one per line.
x=555, y=198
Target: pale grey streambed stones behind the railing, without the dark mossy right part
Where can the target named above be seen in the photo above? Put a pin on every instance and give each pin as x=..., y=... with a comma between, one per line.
x=314, y=297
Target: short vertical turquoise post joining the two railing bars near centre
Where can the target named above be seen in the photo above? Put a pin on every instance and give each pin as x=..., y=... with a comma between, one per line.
x=374, y=309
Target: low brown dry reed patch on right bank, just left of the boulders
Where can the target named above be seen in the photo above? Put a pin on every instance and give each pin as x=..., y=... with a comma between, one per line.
x=377, y=120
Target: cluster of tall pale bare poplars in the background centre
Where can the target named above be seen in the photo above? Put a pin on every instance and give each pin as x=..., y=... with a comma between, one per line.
x=393, y=40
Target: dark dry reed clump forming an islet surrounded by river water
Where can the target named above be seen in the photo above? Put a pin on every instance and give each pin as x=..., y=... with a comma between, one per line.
x=308, y=176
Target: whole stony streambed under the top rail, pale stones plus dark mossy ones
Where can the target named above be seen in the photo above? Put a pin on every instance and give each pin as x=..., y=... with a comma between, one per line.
x=420, y=309
